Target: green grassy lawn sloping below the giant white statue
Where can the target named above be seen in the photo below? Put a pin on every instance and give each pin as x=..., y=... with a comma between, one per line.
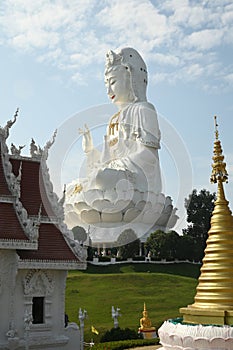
x=162, y=287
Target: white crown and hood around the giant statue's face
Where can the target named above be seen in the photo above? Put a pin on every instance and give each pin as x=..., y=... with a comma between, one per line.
x=128, y=64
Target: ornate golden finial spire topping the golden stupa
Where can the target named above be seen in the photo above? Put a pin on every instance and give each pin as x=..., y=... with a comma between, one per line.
x=219, y=173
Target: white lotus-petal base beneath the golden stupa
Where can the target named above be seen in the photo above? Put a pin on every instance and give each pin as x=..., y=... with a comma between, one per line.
x=174, y=335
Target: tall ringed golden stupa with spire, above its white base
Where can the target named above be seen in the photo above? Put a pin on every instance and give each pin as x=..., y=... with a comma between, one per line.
x=214, y=297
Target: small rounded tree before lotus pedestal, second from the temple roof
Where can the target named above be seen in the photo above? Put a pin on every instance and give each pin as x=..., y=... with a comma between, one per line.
x=128, y=244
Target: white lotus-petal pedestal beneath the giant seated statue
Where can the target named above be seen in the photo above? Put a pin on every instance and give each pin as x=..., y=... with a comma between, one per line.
x=106, y=218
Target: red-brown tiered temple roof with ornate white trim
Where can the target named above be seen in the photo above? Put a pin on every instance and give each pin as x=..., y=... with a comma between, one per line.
x=30, y=220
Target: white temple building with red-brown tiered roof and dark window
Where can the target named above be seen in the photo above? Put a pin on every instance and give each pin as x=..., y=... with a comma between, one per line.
x=36, y=251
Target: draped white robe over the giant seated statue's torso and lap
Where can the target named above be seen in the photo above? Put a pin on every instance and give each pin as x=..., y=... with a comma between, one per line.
x=134, y=157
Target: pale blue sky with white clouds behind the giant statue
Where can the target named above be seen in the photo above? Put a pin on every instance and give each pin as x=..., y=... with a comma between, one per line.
x=52, y=64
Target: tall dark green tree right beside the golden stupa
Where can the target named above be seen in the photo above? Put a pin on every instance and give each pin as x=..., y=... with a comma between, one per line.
x=199, y=210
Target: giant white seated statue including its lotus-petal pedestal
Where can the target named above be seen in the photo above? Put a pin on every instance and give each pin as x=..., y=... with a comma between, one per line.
x=122, y=188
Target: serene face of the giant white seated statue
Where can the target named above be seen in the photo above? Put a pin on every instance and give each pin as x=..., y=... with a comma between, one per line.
x=118, y=86
